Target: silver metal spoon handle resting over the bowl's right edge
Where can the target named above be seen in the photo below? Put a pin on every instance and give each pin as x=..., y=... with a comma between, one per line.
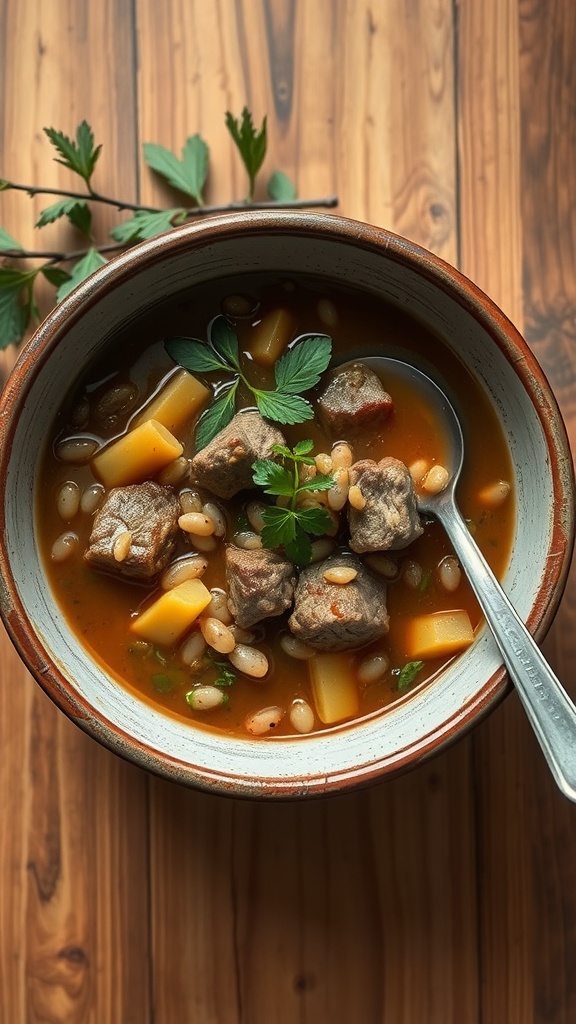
x=550, y=710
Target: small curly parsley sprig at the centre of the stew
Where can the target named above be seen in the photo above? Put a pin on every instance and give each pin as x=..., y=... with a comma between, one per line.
x=290, y=528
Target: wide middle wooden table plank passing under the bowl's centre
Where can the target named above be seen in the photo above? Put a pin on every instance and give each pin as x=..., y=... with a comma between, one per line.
x=361, y=908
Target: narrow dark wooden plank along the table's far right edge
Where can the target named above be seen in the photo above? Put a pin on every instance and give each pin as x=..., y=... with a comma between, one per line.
x=548, y=38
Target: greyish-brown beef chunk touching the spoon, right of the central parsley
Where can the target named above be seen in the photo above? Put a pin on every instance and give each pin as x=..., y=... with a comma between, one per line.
x=390, y=520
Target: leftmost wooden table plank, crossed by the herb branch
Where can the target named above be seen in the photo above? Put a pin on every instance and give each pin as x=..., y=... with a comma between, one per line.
x=73, y=840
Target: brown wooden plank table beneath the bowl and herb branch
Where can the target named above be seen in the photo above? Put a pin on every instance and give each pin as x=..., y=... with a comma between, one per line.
x=447, y=897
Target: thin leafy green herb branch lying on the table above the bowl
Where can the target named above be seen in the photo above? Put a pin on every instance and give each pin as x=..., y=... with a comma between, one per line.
x=187, y=175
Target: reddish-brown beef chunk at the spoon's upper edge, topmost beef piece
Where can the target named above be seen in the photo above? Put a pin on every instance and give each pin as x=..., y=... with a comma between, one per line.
x=355, y=399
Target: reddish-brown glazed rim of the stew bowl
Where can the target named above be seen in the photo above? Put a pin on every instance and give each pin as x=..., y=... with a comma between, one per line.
x=321, y=227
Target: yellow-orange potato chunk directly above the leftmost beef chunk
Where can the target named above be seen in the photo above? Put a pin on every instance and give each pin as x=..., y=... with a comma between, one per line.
x=137, y=456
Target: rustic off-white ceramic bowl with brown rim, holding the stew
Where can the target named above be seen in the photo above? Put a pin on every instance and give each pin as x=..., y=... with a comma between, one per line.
x=344, y=251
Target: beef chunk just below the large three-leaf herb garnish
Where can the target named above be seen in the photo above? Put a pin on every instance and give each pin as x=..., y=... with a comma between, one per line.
x=225, y=466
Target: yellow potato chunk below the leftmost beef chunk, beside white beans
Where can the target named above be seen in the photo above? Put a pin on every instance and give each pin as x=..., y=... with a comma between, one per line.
x=173, y=614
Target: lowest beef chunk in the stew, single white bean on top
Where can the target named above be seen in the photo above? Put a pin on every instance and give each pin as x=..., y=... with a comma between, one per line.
x=340, y=617
